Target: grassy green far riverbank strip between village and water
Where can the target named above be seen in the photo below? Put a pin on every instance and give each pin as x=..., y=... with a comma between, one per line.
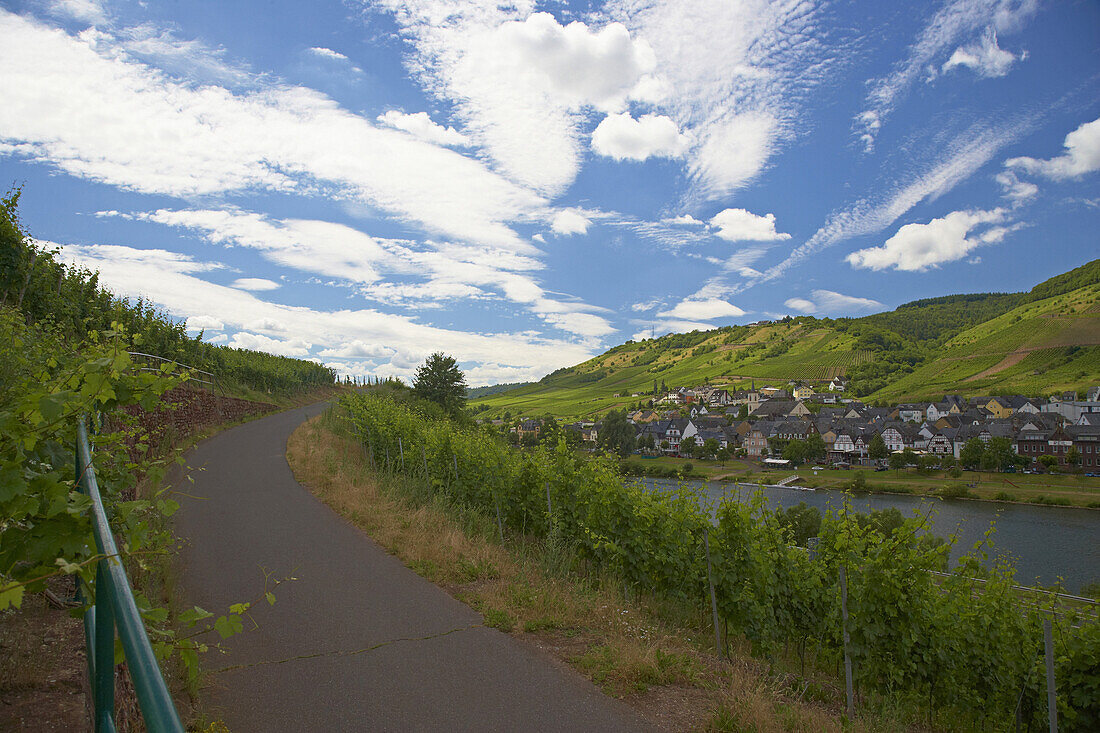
x=1046, y=489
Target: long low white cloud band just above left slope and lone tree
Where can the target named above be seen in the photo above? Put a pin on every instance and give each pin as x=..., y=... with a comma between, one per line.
x=170, y=280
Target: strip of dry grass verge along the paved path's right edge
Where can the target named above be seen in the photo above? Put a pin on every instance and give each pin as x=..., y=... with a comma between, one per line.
x=653, y=658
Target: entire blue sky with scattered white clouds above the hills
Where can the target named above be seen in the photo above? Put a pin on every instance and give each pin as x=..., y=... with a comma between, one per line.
x=524, y=187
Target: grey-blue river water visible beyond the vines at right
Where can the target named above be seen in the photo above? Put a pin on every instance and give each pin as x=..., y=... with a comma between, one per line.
x=1046, y=543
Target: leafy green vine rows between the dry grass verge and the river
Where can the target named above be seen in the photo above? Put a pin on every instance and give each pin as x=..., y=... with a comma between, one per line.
x=943, y=644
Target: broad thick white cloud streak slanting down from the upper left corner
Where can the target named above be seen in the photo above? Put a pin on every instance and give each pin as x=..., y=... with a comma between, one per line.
x=75, y=104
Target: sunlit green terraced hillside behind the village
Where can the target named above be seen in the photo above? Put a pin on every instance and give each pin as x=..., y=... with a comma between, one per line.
x=1028, y=343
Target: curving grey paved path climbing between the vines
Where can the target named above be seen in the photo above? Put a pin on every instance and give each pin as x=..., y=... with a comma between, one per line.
x=307, y=668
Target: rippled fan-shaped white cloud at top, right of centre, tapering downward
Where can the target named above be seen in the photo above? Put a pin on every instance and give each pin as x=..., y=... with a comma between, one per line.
x=734, y=76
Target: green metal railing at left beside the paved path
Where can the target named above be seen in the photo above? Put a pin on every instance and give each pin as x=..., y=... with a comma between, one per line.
x=115, y=608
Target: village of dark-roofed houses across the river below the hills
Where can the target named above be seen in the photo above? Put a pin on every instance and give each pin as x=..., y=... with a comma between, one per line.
x=798, y=423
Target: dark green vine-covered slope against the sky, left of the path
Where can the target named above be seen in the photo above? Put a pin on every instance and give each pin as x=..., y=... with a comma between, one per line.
x=64, y=304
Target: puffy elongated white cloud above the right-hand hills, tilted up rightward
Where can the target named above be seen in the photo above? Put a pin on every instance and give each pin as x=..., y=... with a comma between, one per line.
x=918, y=247
